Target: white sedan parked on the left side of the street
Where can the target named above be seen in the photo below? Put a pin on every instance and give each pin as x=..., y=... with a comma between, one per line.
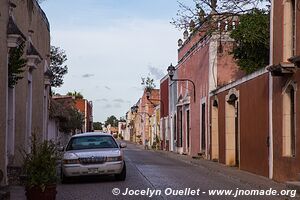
x=93, y=154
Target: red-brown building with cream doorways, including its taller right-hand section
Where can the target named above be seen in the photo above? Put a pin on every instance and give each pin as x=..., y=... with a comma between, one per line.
x=254, y=119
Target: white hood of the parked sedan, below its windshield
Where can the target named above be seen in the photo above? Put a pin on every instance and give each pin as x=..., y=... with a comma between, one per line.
x=74, y=154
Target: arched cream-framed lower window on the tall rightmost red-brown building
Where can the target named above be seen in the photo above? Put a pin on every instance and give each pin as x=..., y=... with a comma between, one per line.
x=289, y=123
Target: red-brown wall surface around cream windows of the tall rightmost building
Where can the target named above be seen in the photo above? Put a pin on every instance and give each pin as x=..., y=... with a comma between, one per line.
x=285, y=168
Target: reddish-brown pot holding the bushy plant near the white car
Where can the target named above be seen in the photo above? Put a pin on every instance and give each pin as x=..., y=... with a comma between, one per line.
x=36, y=193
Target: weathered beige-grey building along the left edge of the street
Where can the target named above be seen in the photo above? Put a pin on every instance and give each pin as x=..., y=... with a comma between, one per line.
x=24, y=111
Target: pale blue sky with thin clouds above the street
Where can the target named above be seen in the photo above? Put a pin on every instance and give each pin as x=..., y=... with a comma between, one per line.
x=110, y=45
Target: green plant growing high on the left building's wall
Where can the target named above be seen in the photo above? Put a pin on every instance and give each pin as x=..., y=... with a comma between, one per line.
x=16, y=65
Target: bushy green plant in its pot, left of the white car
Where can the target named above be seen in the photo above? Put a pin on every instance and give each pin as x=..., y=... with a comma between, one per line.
x=40, y=170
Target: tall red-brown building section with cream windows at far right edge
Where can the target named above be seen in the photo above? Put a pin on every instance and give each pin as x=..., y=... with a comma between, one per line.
x=285, y=112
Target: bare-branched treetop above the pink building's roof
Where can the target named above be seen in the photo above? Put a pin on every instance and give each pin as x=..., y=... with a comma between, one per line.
x=209, y=12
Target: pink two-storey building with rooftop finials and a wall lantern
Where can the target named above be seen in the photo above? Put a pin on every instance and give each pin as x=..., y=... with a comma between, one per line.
x=204, y=63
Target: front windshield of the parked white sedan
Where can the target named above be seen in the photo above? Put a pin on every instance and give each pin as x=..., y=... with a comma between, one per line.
x=91, y=142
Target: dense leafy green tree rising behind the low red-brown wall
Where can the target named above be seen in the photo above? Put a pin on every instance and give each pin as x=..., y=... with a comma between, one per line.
x=252, y=41
